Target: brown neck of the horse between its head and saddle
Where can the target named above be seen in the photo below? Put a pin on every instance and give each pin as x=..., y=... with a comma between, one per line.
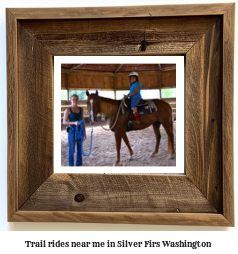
x=109, y=107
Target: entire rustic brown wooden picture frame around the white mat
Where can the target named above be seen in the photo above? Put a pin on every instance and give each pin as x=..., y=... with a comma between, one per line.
x=204, y=196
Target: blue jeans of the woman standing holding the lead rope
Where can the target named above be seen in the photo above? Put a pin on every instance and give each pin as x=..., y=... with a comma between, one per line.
x=71, y=141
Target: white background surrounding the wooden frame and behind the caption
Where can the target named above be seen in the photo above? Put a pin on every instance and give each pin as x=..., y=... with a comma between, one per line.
x=10, y=240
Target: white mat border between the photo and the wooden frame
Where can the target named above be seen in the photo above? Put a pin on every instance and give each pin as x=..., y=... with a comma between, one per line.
x=178, y=60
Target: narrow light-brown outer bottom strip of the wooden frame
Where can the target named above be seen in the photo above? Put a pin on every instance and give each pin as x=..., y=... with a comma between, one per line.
x=190, y=219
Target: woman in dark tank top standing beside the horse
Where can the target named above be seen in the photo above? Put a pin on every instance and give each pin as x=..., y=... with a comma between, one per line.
x=72, y=116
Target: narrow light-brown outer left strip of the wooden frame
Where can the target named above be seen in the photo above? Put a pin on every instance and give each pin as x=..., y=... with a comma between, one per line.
x=12, y=116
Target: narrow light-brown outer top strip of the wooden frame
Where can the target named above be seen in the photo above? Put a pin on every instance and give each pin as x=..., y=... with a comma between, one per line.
x=121, y=12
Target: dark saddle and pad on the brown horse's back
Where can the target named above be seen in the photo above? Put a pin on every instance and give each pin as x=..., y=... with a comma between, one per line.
x=144, y=107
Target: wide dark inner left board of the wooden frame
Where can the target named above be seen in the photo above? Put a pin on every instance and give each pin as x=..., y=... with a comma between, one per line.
x=35, y=100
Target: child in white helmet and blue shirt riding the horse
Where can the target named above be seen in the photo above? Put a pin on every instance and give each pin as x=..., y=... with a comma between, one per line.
x=134, y=94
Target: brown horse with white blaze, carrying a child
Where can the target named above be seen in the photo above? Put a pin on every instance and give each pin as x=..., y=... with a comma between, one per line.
x=118, y=122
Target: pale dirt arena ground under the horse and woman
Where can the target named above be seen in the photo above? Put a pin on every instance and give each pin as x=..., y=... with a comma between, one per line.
x=104, y=148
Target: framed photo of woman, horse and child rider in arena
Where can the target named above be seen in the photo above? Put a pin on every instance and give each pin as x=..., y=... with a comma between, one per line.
x=119, y=114
